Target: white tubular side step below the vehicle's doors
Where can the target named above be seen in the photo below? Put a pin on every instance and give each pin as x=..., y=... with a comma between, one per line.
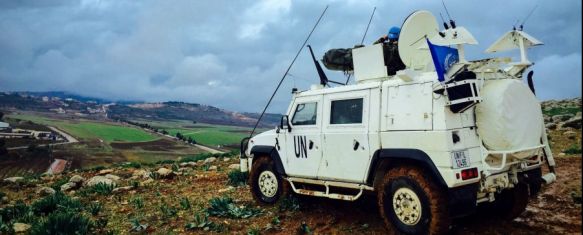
x=327, y=184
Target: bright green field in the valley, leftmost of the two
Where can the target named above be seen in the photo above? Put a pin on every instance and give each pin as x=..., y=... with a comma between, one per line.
x=92, y=130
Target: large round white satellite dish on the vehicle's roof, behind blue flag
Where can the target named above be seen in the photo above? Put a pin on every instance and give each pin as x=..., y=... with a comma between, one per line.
x=417, y=26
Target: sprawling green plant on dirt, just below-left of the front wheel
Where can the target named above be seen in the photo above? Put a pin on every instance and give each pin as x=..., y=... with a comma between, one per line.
x=225, y=207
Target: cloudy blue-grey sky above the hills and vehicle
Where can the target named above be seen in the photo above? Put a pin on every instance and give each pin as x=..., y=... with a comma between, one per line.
x=231, y=54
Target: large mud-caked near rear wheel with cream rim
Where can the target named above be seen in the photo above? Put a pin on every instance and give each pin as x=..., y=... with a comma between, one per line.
x=411, y=203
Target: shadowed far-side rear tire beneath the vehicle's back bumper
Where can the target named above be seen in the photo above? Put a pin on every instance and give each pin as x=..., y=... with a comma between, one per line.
x=511, y=202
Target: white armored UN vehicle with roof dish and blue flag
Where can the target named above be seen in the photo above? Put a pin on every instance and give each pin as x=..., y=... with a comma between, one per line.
x=432, y=140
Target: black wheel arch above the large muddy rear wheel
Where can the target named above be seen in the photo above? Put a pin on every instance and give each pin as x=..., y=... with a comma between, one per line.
x=385, y=159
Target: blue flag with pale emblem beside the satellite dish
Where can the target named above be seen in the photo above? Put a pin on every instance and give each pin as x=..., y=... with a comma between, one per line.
x=443, y=58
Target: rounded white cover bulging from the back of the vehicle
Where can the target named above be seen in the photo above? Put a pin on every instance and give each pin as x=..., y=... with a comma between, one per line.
x=509, y=117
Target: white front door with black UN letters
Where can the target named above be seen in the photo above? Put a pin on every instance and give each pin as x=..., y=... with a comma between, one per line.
x=303, y=142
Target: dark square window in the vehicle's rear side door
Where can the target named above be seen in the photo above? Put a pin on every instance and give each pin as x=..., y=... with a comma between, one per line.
x=346, y=111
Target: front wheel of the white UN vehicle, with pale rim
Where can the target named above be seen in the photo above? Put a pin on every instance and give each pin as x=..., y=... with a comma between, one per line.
x=267, y=186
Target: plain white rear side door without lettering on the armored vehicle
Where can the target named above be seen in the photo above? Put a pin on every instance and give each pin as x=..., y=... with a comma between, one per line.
x=345, y=140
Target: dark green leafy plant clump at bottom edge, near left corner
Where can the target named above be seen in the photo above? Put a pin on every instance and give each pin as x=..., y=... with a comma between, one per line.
x=63, y=223
